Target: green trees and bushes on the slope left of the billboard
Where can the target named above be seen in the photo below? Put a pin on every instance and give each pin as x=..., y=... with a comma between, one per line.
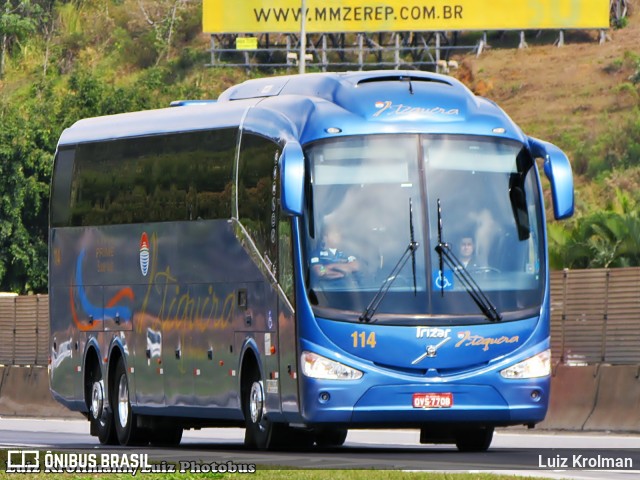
x=64, y=60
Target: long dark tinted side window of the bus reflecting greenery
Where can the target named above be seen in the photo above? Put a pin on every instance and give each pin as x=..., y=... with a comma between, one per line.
x=185, y=176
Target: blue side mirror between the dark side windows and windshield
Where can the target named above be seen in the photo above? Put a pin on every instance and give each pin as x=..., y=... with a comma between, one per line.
x=292, y=178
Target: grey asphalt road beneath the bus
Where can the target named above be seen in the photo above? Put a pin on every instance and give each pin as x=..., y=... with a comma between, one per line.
x=521, y=452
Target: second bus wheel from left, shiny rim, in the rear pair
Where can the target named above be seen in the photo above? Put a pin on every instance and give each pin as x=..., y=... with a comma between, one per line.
x=124, y=419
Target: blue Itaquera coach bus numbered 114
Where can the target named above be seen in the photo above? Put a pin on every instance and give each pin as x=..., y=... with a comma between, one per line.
x=285, y=259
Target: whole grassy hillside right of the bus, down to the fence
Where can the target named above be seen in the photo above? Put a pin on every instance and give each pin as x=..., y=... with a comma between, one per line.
x=585, y=97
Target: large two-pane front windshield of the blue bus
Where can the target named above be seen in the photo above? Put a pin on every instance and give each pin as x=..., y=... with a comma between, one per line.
x=369, y=197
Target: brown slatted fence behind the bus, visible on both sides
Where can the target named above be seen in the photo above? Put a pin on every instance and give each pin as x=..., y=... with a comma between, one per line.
x=595, y=318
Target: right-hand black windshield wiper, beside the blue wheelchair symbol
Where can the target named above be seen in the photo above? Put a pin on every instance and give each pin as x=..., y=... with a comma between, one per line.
x=446, y=256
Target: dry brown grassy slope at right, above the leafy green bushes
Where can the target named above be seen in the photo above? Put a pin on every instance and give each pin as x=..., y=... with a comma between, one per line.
x=584, y=96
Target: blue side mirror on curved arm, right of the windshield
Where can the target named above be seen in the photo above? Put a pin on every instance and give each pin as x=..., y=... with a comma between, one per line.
x=558, y=170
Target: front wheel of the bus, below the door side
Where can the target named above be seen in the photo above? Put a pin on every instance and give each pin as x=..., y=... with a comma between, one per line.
x=260, y=432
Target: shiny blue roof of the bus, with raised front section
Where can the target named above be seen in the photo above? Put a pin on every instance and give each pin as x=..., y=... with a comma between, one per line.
x=383, y=101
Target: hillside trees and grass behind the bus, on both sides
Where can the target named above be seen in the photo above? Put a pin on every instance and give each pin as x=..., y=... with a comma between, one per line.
x=62, y=60
